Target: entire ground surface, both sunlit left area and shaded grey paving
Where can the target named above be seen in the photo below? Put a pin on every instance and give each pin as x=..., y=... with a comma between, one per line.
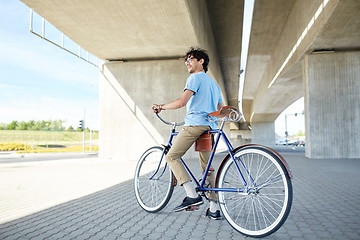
x=94, y=199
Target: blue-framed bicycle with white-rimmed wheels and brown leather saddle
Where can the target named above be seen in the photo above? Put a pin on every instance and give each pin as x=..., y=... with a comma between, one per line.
x=253, y=182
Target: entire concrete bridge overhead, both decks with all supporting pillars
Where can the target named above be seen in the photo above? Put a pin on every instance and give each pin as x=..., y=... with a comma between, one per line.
x=297, y=48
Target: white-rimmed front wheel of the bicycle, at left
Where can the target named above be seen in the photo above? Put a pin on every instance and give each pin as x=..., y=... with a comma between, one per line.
x=153, y=180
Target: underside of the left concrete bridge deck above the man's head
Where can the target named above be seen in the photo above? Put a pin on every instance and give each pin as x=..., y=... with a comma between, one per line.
x=138, y=30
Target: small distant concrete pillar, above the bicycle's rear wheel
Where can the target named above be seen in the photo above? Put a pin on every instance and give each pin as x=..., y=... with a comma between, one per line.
x=263, y=133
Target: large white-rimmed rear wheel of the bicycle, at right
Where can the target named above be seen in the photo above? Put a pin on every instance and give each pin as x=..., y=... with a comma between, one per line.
x=262, y=207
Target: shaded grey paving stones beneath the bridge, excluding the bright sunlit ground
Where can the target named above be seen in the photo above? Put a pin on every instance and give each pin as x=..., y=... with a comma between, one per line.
x=326, y=205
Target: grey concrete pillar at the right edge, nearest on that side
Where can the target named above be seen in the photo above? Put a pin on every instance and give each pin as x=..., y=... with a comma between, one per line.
x=332, y=105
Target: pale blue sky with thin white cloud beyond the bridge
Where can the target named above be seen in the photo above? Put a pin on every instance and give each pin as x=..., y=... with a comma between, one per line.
x=40, y=81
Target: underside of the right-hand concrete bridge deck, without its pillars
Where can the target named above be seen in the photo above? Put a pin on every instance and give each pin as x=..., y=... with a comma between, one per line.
x=283, y=32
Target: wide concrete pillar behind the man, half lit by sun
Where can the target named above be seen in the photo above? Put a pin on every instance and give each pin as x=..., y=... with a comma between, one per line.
x=127, y=90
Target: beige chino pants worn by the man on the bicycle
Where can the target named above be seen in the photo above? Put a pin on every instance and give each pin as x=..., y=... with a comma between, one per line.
x=183, y=141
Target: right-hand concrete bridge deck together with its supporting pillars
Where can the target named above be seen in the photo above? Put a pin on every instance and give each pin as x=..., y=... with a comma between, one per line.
x=311, y=49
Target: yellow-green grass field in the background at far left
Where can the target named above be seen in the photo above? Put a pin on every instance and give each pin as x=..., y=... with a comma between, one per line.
x=46, y=141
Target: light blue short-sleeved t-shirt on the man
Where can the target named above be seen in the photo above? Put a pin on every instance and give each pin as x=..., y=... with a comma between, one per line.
x=207, y=95
